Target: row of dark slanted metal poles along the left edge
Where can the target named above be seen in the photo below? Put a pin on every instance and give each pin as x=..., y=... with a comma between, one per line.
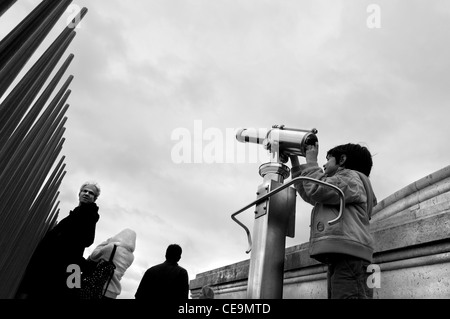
x=32, y=119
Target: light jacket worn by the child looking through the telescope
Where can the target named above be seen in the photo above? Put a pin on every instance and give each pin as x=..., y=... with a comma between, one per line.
x=351, y=234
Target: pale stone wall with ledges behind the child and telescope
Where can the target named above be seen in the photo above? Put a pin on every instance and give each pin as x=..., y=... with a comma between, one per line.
x=411, y=229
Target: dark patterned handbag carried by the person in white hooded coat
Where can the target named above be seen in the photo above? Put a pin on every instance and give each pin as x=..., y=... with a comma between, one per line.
x=95, y=283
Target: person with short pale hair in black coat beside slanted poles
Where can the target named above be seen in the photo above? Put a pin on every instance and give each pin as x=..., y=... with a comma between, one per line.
x=47, y=275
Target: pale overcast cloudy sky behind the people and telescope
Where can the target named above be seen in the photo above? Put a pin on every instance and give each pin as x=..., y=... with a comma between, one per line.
x=160, y=86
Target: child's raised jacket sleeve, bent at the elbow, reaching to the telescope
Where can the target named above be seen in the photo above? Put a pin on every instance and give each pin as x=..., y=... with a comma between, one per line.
x=346, y=180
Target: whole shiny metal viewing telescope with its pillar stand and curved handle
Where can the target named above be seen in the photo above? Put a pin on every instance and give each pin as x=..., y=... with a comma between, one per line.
x=275, y=207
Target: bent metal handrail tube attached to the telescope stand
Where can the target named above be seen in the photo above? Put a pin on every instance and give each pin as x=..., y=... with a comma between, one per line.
x=278, y=189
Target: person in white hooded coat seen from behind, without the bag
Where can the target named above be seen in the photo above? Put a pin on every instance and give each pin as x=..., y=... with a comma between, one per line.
x=123, y=257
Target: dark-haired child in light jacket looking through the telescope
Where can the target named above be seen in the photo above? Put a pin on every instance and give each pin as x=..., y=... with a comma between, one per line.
x=346, y=246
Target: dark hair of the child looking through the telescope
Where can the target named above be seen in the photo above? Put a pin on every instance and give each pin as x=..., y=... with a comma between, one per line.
x=358, y=157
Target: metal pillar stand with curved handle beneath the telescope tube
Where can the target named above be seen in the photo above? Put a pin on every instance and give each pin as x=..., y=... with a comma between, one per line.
x=274, y=220
